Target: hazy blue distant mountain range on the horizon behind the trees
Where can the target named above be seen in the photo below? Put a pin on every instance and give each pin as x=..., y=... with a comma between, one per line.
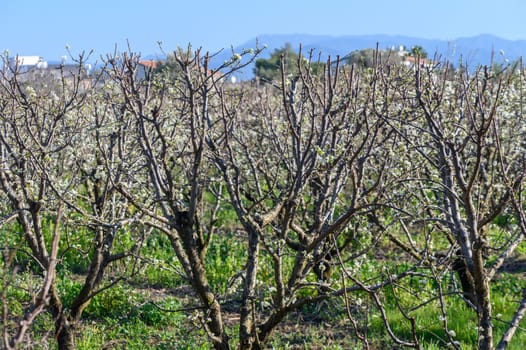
x=473, y=51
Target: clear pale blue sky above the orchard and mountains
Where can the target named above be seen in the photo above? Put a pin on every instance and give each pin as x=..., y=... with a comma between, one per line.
x=45, y=28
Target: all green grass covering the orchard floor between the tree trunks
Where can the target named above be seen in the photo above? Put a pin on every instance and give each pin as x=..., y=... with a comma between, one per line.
x=145, y=313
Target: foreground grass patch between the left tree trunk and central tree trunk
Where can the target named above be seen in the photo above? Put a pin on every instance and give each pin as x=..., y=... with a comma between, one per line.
x=128, y=318
